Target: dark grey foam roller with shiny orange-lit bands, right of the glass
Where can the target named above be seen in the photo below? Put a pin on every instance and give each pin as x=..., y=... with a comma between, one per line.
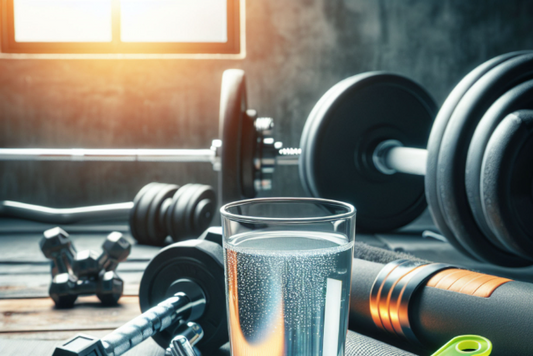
x=421, y=305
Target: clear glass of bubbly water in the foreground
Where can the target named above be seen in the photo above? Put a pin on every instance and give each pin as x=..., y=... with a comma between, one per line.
x=288, y=264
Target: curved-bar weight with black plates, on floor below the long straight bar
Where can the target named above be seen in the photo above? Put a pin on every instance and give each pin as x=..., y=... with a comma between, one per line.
x=157, y=211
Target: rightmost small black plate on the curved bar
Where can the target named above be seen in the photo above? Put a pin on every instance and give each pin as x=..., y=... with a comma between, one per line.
x=206, y=196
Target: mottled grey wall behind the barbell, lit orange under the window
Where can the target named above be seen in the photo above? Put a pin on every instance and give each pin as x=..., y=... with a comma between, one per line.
x=296, y=49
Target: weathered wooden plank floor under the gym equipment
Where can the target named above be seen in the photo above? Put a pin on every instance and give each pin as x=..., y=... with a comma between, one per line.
x=31, y=325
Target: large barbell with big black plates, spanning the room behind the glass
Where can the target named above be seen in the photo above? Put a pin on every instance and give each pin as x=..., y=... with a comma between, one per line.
x=372, y=126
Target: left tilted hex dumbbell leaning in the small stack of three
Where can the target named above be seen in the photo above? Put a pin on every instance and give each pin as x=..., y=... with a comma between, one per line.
x=56, y=245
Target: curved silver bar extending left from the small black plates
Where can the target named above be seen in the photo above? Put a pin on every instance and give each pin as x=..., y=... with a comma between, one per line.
x=66, y=215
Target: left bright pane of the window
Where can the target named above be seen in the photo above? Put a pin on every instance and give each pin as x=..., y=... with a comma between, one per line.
x=62, y=20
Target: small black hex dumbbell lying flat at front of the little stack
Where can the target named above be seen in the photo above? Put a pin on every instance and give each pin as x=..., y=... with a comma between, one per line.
x=65, y=288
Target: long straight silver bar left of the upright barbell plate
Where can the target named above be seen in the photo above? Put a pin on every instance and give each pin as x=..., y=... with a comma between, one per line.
x=112, y=155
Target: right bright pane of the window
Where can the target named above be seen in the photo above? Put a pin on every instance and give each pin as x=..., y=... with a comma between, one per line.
x=173, y=21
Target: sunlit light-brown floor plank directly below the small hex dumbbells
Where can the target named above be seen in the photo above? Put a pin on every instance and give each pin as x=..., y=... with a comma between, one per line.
x=39, y=314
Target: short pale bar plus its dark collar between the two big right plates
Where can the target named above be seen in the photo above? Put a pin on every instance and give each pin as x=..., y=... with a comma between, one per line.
x=390, y=157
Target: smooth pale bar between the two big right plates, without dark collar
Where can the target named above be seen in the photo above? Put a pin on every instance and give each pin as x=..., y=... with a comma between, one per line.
x=407, y=160
